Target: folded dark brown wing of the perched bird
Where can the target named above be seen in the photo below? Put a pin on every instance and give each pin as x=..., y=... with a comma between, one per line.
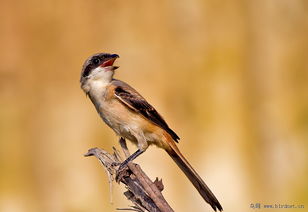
x=131, y=98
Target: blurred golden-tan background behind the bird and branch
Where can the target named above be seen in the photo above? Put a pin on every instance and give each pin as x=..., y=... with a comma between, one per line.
x=231, y=78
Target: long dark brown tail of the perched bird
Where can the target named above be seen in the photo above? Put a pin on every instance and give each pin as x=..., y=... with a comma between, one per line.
x=193, y=176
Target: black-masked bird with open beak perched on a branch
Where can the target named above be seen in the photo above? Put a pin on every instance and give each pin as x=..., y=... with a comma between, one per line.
x=125, y=111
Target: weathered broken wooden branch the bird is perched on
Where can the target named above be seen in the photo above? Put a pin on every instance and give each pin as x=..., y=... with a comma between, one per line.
x=141, y=191
